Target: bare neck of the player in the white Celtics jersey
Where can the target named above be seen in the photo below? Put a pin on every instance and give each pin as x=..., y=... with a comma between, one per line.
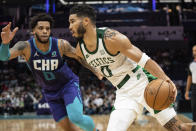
x=90, y=37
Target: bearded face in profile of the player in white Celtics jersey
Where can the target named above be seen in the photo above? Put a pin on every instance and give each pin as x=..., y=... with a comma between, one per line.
x=76, y=26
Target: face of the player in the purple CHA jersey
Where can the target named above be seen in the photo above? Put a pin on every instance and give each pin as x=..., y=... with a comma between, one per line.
x=42, y=31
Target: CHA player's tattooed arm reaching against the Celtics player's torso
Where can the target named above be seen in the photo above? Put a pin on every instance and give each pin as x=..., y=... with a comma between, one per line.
x=70, y=51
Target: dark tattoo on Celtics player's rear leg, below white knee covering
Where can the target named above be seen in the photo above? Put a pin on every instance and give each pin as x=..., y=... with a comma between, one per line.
x=173, y=125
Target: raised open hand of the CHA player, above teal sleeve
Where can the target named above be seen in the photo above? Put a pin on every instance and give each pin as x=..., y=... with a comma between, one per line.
x=7, y=35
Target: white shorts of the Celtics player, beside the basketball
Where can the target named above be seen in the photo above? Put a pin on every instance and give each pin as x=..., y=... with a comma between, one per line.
x=131, y=96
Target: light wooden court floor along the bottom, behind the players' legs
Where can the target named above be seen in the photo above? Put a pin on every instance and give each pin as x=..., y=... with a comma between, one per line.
x=144, y=123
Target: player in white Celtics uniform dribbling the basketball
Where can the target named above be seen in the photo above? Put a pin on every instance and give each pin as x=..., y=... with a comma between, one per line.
x=125, y=66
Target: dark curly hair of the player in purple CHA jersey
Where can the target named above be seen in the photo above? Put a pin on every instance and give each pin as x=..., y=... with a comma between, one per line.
x=41, y=17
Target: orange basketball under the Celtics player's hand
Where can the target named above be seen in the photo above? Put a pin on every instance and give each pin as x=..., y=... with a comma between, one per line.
x=158, y=94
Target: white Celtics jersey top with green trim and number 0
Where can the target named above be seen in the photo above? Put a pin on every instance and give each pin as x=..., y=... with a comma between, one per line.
x=113, y=67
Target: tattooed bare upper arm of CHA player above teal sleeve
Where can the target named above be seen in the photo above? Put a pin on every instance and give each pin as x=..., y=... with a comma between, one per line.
x=17, y=49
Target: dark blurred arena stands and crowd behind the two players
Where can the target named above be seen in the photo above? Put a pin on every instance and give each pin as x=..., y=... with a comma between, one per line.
x=19, y=93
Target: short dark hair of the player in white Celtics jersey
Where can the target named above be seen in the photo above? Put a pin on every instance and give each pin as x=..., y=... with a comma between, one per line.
x=84, y=10
